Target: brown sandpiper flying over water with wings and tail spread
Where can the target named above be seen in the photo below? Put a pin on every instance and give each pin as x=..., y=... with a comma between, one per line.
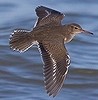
x=50, y=36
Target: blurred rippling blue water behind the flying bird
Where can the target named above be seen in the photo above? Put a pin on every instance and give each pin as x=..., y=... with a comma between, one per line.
x=21, y=74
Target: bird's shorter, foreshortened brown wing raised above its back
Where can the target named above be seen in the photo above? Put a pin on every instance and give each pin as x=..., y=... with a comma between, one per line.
x=47, y=16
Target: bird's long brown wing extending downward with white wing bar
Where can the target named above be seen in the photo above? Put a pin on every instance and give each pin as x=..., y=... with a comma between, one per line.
x=56, y=62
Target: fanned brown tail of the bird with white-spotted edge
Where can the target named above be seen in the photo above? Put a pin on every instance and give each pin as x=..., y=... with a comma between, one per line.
x=20, y=40
